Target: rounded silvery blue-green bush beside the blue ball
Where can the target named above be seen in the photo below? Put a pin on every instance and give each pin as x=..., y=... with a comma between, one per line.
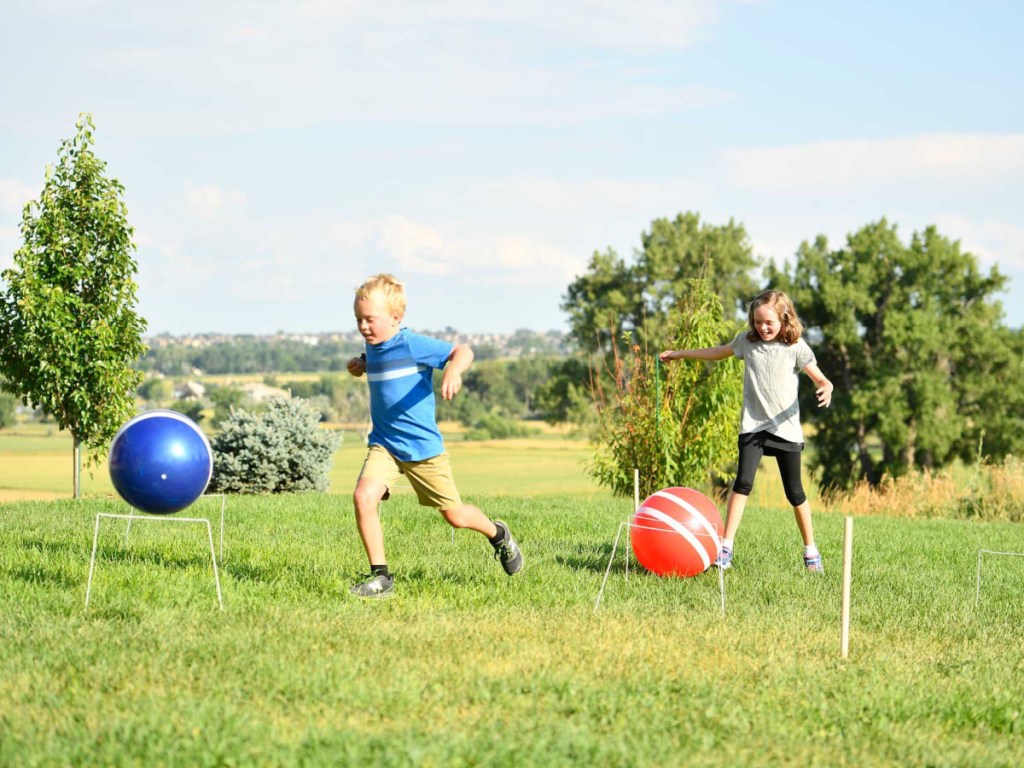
x=281, y=450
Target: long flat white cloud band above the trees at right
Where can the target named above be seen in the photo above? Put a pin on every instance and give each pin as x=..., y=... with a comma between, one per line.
x=838, y=164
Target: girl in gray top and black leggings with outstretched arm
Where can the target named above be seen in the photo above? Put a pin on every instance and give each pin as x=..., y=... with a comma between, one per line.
x=774, y=356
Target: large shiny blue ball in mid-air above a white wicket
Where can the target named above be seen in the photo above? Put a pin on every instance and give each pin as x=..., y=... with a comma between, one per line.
x=161, y=462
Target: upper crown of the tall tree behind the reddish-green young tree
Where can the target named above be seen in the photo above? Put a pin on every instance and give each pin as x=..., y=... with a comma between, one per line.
x=613, y=298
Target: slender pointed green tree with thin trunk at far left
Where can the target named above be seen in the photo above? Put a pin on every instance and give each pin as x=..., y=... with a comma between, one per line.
x=69, y=333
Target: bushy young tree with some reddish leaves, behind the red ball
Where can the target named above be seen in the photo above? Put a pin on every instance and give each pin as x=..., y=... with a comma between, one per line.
x=676, y=424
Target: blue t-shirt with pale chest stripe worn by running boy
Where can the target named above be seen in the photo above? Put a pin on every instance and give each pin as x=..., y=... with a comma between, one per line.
x=402, y=395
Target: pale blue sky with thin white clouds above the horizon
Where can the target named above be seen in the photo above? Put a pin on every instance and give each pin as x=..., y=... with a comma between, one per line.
x=276, y=154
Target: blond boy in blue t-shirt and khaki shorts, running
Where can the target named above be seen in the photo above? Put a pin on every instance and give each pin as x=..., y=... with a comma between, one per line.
x=405, y=439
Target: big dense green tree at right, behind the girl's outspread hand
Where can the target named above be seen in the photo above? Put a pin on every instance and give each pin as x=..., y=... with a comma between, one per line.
x=906, y=333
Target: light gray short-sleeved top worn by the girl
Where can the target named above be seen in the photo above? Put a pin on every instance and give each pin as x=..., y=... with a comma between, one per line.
x=772, y=378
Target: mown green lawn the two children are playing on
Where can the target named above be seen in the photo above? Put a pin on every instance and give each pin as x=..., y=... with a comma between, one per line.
x=468, y=667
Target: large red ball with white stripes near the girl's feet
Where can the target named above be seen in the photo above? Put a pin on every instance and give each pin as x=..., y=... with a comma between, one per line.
x=677, y=532
